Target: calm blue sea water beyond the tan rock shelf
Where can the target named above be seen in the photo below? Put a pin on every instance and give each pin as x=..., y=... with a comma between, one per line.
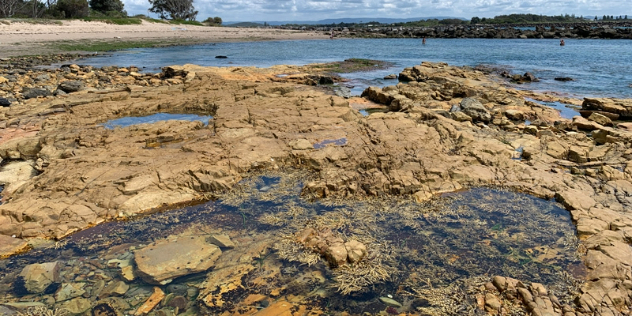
x=599, y=67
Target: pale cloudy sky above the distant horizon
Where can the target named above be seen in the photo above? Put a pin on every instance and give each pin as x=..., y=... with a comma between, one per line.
x=312, y=10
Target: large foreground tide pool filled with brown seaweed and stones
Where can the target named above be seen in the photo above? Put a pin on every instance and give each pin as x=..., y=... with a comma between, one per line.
x=265, y=247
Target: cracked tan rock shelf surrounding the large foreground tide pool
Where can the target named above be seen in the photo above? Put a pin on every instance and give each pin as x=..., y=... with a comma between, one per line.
x=448, y=128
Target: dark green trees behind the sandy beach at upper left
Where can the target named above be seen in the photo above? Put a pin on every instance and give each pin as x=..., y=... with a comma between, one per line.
x=69, y=9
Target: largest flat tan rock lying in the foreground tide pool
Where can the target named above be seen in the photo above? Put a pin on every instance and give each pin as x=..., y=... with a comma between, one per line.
x=168, y=259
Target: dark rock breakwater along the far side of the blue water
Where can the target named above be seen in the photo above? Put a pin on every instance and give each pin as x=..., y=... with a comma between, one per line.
x=622, y=30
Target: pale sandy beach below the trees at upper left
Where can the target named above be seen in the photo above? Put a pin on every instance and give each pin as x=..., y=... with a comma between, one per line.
x=19, y=38
